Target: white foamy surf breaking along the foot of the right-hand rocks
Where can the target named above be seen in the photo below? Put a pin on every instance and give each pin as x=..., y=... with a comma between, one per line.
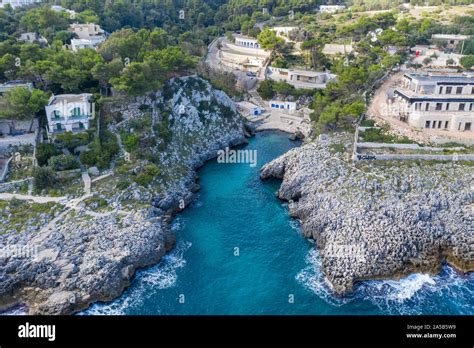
x=416, y=294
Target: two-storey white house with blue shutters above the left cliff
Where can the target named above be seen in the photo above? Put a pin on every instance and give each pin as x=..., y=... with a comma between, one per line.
x=69, y=112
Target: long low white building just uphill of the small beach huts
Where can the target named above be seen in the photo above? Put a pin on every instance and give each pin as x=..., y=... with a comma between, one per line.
x=300, y=78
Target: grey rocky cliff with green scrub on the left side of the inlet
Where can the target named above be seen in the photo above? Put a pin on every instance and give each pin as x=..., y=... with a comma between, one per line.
x=89, y=250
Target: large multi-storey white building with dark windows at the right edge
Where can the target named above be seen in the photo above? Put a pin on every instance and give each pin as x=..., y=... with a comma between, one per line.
x=442, y=102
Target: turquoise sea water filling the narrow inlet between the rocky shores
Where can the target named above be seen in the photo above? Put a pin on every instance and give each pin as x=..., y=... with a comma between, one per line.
x=274, y=270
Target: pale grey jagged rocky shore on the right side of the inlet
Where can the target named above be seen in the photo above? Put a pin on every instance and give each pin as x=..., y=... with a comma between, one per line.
x=377, y=220
